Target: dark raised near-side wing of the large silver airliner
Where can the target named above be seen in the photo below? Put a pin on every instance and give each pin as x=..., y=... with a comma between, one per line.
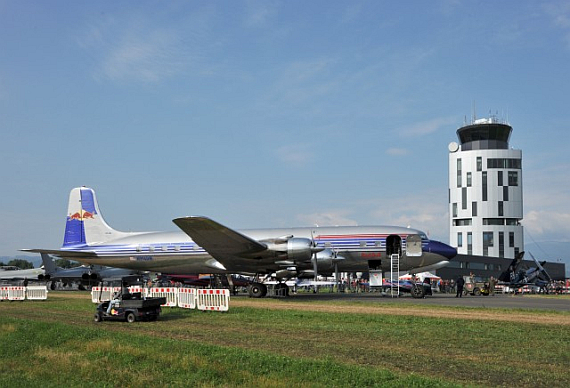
x=220, y=241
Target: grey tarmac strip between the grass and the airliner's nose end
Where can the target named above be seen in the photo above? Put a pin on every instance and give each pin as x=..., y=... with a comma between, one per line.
x=498, y=301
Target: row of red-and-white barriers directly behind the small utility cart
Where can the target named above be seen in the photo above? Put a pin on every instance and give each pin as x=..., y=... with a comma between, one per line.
x=189, y=298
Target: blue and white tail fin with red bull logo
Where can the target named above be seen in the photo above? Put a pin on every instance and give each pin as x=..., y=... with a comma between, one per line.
x=85, y=225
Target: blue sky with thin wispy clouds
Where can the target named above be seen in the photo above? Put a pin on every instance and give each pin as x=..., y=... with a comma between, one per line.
x=275, y=113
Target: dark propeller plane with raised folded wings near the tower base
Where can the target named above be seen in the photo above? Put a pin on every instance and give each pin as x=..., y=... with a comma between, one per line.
x=535, y=276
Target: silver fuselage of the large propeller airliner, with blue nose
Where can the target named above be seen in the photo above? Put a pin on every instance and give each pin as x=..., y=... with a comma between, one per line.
x=176, y=253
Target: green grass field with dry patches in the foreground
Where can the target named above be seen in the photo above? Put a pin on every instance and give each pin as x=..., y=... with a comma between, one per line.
x=283, y=343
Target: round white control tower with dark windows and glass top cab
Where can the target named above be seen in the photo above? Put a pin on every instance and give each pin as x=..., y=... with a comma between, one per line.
x=485, y=190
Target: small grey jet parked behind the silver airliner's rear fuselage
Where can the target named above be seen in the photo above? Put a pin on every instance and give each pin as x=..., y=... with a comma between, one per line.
x=84, y=275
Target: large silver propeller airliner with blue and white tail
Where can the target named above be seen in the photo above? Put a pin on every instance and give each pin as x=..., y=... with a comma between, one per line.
x=205, y=246
